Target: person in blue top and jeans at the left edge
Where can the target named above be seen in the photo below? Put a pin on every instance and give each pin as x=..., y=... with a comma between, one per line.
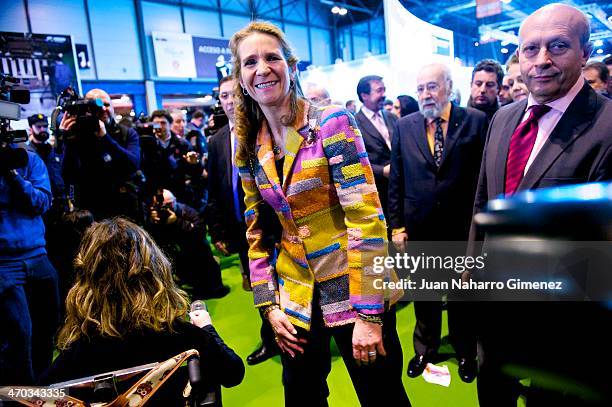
x=29, y=303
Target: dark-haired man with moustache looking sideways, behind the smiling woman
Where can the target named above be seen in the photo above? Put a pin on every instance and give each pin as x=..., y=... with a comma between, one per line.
x=376, y=125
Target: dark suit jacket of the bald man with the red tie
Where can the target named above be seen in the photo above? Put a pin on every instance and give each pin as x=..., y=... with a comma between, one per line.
x=578, y=150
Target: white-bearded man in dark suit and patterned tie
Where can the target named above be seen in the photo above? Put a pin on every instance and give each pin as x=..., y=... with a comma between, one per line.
x=435, y=161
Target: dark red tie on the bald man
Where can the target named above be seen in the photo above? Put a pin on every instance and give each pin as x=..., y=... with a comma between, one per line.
x=521, y=144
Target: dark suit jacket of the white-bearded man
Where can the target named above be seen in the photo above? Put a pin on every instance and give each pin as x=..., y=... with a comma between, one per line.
x=436, y=203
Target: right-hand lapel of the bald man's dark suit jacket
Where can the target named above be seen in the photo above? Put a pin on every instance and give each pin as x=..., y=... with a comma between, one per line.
x=574, y=121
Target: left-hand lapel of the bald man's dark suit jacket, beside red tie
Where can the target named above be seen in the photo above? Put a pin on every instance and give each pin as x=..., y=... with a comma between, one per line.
x=509, y=121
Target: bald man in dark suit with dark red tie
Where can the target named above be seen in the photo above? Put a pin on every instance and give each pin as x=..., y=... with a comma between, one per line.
x=561, y=134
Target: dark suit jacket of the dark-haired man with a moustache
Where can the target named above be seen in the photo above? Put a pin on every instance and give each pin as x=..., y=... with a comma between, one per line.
x=379, y=153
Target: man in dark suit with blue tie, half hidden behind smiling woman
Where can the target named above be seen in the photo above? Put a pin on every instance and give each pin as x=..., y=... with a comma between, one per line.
x=225, y=208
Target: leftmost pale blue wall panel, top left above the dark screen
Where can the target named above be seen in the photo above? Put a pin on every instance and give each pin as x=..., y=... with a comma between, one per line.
x=66, y=17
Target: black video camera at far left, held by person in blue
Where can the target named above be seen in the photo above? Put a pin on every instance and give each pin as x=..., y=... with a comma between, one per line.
x=11, y=95
